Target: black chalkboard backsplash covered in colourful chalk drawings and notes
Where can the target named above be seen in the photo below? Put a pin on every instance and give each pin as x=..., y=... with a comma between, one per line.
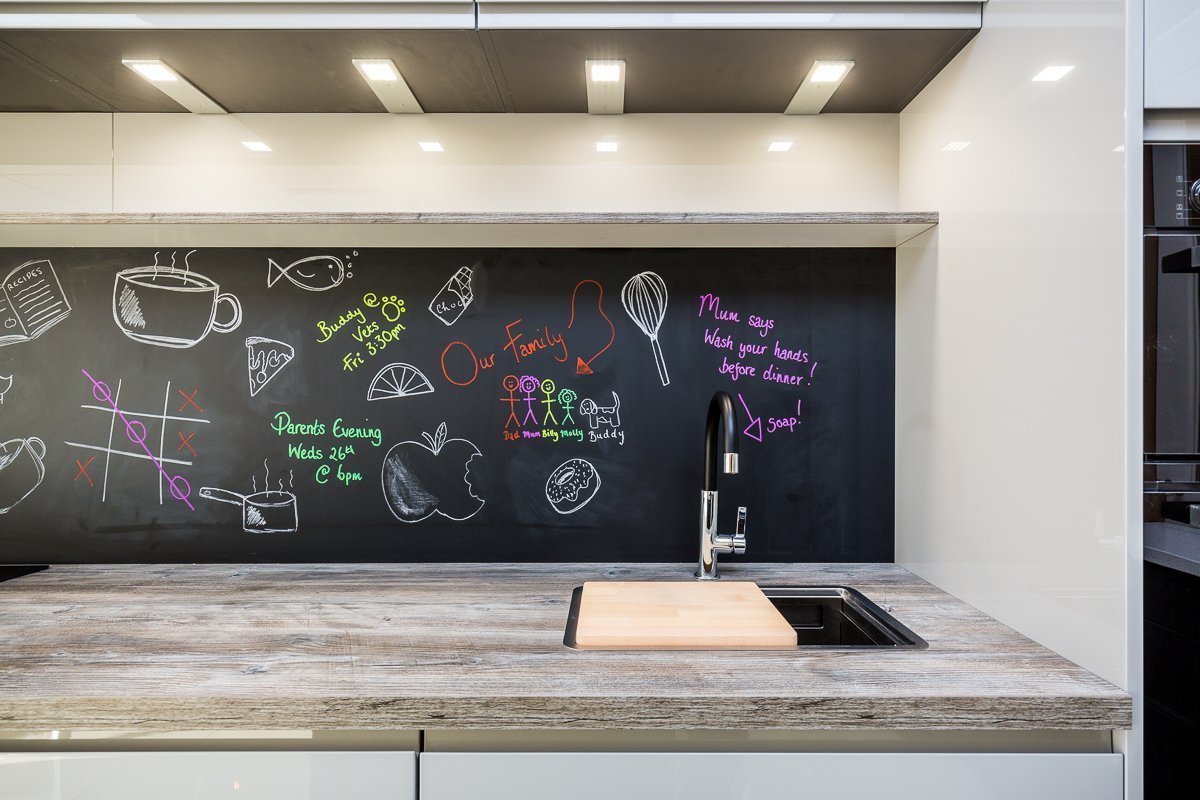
x=440, y=405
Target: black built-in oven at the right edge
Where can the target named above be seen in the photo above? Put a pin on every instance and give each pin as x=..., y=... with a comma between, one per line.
x=1173, y=333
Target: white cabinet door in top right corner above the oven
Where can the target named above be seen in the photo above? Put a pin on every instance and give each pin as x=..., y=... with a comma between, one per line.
x=1173, y=55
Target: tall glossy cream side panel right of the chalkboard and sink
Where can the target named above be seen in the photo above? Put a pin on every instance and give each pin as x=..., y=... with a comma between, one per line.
x=1012, y=407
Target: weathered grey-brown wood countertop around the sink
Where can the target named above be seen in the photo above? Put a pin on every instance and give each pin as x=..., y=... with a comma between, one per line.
x=379, y=647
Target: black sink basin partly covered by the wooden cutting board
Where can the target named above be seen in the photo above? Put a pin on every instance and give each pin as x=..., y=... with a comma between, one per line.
x=823, y=617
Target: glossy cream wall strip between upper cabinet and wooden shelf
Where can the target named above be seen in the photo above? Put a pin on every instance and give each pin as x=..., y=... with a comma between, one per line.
x=491, y=163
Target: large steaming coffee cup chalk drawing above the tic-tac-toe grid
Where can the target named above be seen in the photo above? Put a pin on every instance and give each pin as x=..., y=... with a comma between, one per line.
x=169, y=308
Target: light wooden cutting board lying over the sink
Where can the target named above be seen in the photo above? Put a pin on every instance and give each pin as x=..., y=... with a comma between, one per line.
x=686, y=616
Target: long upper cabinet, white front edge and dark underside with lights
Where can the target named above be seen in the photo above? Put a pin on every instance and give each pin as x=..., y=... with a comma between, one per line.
x=487, y=57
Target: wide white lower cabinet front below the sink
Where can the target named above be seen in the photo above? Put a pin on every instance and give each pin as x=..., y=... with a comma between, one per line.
x=771, y=777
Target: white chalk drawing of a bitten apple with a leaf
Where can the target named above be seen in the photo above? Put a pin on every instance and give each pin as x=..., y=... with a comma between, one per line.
x=422, y=479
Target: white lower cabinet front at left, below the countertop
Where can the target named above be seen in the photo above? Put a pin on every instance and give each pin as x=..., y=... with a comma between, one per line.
x=209, y=777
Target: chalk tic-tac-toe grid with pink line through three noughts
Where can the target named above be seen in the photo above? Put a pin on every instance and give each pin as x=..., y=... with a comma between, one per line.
x=131, y=440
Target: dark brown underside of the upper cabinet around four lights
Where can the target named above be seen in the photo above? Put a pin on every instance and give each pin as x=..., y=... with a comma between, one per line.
x=467, y=71
